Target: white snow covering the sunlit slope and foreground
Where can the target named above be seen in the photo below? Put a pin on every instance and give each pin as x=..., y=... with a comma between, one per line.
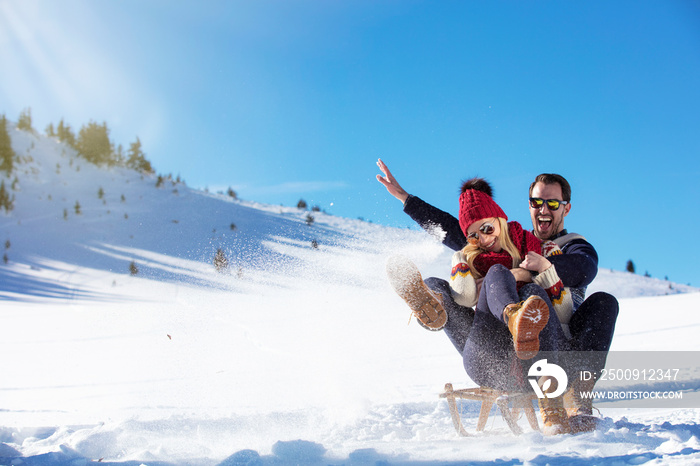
x=295, y=355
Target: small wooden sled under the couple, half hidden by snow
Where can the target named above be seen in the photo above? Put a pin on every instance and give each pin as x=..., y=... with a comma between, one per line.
x=488, y=396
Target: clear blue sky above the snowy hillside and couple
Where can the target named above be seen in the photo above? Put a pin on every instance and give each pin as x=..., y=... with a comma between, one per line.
x=284, y=100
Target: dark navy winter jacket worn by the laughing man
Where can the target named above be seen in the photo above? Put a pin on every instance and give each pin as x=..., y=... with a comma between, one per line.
x=577, y=266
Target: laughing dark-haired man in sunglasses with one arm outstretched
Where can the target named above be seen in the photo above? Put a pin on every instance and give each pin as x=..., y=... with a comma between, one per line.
x=593, y=322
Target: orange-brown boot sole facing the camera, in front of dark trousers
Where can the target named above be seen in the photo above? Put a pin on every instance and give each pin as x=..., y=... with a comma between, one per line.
x=525, y=321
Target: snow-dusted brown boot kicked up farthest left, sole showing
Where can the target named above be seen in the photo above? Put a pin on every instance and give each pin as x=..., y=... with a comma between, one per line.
x=408, y=283
